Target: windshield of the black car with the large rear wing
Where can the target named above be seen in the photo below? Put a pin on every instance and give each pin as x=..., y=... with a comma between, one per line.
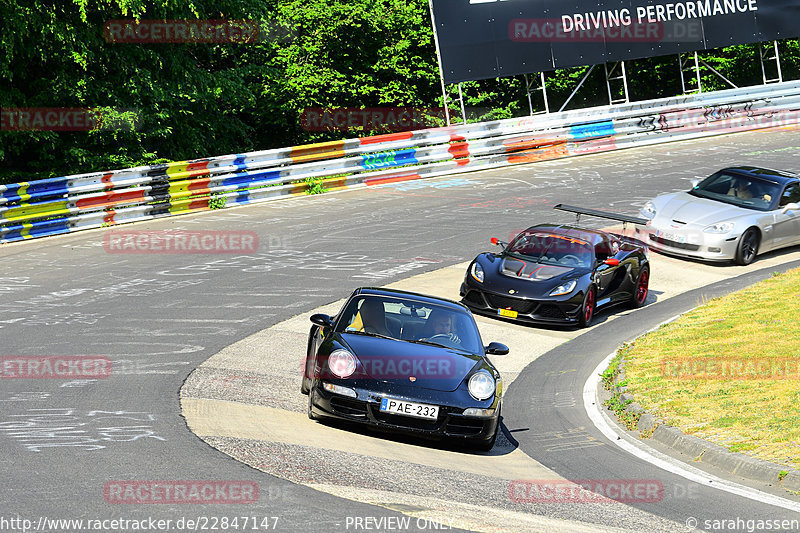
x=552, y=249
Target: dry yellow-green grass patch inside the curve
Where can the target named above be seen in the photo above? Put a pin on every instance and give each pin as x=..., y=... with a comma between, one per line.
x=729, y=371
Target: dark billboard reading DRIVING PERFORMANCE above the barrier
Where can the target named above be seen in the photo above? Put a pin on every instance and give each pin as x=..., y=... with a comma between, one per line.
x=480, y=39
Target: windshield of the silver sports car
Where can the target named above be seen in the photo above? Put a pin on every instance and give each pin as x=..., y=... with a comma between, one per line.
x=742, y=191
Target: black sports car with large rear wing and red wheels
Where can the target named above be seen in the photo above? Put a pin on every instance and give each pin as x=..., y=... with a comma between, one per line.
x=558, y=274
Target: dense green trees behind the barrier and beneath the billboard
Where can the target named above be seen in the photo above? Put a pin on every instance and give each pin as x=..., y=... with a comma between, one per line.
x=201, y=99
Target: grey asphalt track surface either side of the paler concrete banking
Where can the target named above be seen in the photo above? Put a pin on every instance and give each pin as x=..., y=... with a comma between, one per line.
x=159, y=316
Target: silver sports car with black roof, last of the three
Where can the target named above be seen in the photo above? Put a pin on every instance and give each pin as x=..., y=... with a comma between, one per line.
x=734, y=214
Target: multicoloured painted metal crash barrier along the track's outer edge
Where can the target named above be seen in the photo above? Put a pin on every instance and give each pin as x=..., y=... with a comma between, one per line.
x=84, y=201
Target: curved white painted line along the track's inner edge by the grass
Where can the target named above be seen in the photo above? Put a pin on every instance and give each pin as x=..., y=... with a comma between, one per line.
x=664, y=461
